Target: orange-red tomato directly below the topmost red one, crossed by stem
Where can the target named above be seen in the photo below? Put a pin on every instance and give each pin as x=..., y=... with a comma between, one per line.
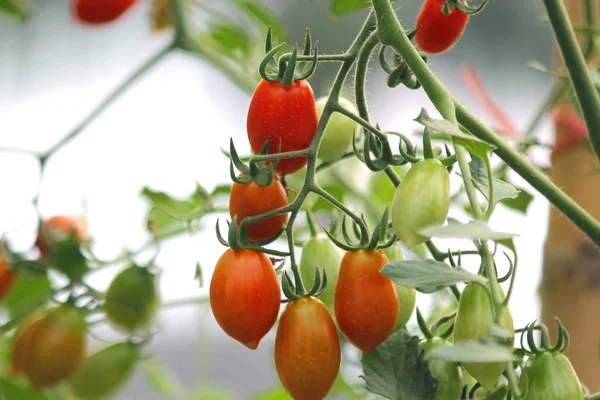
x=250, y=199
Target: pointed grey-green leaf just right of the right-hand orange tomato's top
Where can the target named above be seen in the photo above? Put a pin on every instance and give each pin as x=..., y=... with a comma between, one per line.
x=428, y=276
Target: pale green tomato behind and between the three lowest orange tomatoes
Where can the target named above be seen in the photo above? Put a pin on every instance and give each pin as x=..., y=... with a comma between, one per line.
x=320, y=252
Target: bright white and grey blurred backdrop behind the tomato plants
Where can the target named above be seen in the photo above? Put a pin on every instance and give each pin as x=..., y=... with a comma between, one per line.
x=166, y=132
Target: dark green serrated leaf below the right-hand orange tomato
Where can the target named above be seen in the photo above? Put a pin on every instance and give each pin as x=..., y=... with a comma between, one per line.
x=396, y=369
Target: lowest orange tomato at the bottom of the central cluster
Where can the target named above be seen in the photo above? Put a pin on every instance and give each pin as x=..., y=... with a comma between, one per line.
x=307, y=350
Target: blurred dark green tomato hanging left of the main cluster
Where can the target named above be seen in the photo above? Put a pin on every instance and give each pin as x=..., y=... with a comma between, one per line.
x=132, y=300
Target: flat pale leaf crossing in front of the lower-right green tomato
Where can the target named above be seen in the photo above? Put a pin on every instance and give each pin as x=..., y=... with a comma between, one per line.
x=471, y=351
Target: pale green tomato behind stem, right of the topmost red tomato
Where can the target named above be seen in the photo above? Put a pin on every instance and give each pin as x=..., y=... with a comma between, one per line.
x=339, y=132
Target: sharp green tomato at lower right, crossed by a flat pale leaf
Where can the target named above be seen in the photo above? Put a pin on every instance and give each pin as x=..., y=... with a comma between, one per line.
x=473, y=321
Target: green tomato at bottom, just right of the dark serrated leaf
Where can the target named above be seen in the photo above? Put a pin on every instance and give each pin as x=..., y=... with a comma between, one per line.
x=448, y=374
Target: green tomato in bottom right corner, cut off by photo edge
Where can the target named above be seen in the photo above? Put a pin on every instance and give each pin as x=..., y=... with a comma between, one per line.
x=549, y=376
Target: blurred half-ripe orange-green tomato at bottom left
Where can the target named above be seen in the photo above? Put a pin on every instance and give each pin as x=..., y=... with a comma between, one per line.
x=50, y=347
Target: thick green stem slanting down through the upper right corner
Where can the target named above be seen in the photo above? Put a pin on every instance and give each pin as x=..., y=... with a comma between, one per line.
x=587, y=95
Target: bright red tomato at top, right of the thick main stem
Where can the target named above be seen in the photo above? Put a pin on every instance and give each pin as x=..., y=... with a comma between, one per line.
x=439, y=32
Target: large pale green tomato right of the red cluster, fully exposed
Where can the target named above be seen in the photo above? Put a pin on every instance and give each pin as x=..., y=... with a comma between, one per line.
x=421, y=200
